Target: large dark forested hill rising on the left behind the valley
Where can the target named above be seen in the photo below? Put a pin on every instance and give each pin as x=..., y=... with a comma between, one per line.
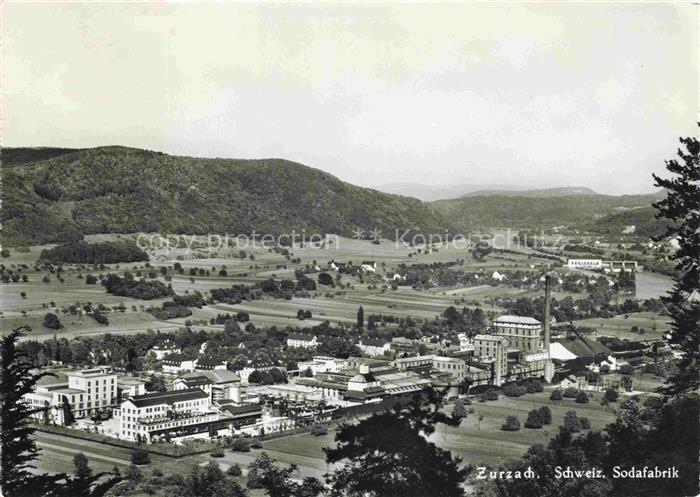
x=61, y=195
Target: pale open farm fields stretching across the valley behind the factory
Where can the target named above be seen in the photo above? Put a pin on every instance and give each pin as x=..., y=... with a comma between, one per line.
x=337, y=305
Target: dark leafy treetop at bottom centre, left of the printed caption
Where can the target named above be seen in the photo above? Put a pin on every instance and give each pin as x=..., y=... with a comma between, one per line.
x=388, y=455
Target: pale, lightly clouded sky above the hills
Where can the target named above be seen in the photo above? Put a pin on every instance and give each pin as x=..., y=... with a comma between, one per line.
x=518, y=94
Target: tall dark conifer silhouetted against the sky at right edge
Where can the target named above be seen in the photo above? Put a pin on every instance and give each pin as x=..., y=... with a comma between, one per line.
x=682, y=207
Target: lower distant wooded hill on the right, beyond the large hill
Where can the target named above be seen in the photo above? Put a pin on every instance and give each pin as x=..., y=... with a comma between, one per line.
x=535, y=212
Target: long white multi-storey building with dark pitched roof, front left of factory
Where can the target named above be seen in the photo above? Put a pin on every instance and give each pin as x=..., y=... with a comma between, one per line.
x=164, y=415
